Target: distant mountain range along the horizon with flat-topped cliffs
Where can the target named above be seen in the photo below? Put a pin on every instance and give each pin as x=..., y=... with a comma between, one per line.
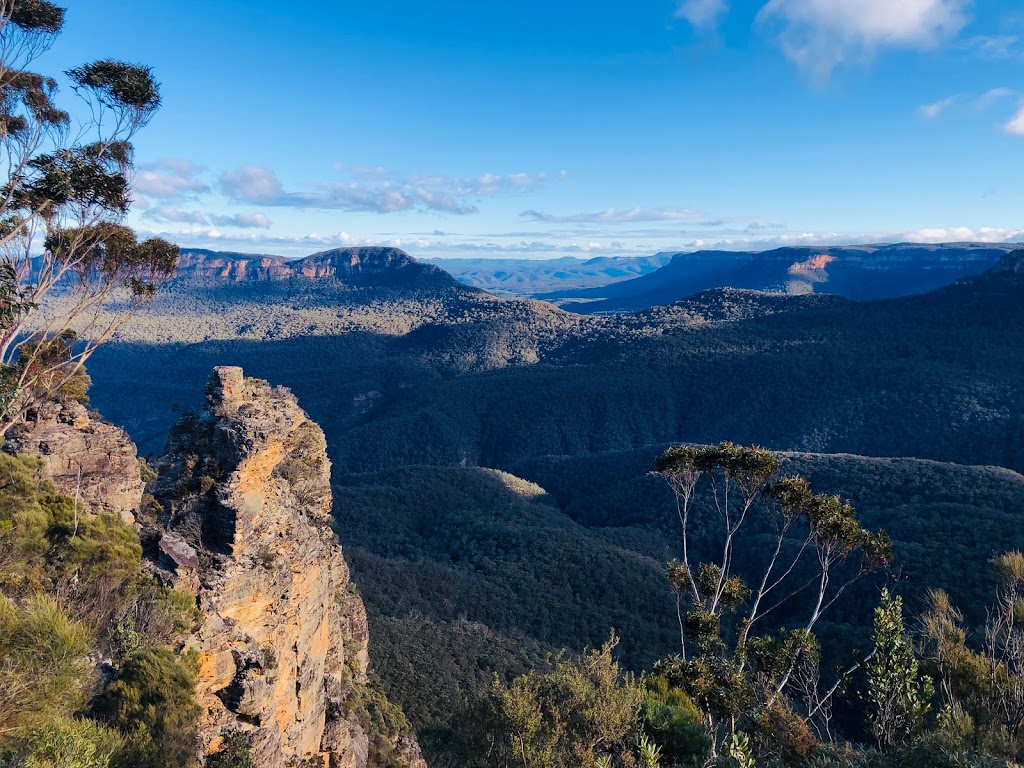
x=615, y=285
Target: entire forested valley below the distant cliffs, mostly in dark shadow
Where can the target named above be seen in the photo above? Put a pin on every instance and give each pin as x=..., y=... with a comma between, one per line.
x=437, y=401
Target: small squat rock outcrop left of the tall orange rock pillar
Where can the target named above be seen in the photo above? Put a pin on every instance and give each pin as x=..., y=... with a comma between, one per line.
x=86, y=458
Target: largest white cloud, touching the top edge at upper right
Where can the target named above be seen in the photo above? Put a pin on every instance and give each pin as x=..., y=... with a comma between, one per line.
x=820, y=35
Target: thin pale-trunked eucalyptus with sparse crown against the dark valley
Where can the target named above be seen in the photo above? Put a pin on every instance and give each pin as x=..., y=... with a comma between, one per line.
x=803, y=551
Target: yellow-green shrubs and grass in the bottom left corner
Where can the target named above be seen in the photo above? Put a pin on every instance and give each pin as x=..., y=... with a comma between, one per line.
x=72, y=590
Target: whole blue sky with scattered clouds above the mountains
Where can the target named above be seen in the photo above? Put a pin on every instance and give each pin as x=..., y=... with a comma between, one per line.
x=538, y=130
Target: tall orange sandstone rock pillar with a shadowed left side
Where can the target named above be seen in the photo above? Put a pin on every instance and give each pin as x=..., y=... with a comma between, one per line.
x=245, y=527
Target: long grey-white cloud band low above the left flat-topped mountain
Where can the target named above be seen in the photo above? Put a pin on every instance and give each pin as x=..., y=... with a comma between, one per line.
x=377, y=191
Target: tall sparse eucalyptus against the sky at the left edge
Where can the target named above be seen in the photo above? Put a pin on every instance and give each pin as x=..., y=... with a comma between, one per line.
x=71, y=273
